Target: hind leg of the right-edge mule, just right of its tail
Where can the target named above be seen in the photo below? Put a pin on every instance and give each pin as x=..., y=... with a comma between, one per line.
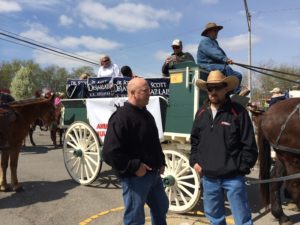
x=275, y=195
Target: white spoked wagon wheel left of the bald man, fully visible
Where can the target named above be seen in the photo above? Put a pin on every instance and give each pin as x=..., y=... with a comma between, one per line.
x=81, y=153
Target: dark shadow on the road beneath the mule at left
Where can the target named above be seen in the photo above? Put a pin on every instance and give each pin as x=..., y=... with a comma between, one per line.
x=37, y=191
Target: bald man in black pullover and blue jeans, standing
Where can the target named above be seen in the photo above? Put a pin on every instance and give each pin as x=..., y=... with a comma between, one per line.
x=133, y=149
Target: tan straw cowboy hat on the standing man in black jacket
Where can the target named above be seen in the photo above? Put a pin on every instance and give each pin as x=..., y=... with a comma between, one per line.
x=216, y=77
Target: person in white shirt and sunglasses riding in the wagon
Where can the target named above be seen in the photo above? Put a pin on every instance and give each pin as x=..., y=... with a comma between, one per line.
x=107, y=68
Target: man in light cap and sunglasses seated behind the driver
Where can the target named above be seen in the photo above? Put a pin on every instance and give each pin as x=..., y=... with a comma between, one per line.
x=176, y=57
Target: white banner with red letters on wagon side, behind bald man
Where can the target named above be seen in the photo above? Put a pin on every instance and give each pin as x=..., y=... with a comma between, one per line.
x=99, y=111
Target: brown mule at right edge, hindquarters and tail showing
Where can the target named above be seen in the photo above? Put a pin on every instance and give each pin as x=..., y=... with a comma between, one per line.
x=279, y=127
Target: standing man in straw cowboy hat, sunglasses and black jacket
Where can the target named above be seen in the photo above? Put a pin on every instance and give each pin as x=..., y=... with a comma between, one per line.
x=223, y=150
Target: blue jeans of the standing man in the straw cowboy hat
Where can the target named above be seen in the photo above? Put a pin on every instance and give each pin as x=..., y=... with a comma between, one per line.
x=213, y=195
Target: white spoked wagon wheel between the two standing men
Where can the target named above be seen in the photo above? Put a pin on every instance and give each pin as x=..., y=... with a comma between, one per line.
x=182, y=183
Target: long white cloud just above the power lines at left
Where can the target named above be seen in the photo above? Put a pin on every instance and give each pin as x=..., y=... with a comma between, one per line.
x=41, y=33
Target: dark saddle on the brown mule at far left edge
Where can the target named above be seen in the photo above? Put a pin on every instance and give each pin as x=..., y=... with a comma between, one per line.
x=5, y=117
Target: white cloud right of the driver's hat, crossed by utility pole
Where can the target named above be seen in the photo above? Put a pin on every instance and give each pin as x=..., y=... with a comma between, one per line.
x=239, y=42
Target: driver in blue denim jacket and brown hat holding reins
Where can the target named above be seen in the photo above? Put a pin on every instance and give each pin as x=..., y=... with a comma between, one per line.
x=211, y=56
